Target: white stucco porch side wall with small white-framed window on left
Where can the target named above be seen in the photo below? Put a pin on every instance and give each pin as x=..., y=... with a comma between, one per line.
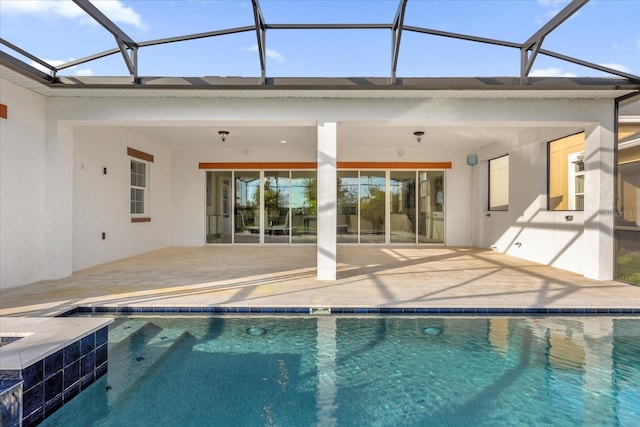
x=101, y=202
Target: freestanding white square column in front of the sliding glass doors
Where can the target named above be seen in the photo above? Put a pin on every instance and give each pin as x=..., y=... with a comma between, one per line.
x=327, y=178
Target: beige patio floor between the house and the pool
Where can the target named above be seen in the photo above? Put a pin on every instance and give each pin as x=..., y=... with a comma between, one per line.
x=285, y=276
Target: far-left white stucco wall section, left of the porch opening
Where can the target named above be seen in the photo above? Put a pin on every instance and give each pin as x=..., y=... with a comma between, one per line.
x=23, y=187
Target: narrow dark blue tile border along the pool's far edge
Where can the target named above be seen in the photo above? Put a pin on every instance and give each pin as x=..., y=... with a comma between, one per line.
x=351, y=310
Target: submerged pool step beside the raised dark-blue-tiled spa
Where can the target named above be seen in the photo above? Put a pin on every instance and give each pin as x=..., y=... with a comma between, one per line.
x=137, y=355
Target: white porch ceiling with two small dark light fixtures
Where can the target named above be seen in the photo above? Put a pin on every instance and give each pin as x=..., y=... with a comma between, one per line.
x=351, y=136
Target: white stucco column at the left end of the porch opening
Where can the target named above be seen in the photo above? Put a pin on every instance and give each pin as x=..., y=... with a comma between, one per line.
x=59, y=239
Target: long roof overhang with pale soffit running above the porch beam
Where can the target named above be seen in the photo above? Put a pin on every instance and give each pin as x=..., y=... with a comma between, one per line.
x=330, y=87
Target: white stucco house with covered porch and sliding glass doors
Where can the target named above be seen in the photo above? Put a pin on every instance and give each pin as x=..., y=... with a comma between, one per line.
x=97, y=169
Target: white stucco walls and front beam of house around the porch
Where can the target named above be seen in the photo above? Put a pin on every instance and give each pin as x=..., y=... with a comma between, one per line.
x=56, y=201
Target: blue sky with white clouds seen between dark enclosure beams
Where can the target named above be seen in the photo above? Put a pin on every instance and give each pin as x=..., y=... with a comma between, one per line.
x=604, y=32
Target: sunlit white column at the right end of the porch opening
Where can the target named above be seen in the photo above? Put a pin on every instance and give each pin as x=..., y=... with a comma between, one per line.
x=599, y=184
